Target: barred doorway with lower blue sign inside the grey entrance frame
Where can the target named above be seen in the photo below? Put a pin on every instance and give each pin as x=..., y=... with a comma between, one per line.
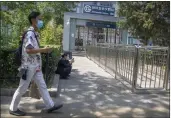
x=94, y=33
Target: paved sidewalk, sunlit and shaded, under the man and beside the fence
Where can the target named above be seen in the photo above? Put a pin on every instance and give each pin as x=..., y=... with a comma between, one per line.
x=91, y=92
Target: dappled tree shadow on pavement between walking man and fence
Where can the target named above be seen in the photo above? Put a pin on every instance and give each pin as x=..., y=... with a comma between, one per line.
x=107, y=97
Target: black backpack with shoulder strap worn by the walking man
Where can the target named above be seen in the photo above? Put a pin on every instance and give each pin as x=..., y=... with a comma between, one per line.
x=18, y=51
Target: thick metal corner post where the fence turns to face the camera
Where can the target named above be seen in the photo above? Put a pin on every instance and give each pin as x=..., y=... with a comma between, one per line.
x=135, y=69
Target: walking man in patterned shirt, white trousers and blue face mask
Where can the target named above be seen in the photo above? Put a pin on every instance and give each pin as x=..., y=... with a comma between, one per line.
x=31, y=61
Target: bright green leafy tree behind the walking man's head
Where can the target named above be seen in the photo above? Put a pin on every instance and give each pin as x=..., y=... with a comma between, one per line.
x=16, y=16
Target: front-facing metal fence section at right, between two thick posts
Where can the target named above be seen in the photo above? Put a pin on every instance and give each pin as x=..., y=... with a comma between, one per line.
x=153, y=68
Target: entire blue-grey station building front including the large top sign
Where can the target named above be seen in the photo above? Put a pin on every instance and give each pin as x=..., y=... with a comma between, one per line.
x=92, y=23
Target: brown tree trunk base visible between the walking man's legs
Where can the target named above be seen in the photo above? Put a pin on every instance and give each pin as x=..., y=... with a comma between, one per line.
x=34, y=92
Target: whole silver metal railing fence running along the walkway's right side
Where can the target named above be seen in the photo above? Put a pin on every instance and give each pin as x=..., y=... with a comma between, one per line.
x=143, y=67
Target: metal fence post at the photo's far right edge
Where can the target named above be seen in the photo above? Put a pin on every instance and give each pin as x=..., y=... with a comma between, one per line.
x=167, y=71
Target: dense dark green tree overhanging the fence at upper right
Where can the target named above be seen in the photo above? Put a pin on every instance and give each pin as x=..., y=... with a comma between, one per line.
x=147, y=20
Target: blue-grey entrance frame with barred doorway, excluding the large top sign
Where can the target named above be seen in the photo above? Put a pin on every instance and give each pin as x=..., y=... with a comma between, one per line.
x=88, y=29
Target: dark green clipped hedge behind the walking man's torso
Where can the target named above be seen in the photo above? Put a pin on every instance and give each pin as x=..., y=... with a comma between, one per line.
x=9, y=69
